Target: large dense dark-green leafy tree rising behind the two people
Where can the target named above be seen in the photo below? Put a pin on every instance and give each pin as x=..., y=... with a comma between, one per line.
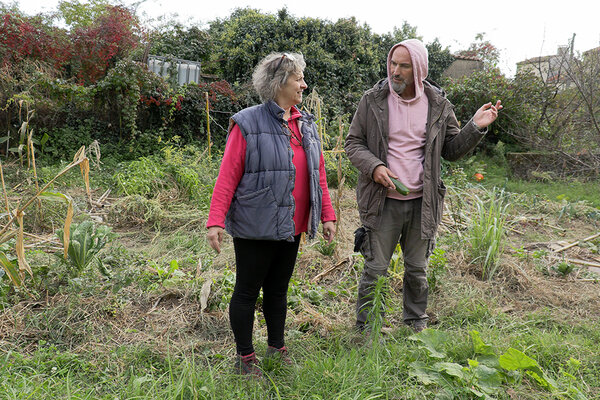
x=344, y=58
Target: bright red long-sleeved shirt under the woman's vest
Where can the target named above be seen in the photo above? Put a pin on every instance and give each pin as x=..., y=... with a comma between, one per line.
x=232, y=170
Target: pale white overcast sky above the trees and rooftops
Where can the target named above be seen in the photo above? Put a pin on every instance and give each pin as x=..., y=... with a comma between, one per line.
x=520, y=29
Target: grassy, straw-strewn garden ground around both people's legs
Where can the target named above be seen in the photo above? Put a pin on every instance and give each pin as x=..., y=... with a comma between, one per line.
x=132, y=334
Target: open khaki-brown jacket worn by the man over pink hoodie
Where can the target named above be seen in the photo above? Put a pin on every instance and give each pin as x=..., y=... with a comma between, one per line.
x=367, y=147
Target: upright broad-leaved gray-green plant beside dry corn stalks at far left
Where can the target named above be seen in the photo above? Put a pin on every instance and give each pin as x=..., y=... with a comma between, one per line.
x=85, y=241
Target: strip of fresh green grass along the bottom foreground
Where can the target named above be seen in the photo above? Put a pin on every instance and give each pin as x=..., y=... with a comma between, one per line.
x=334, y=367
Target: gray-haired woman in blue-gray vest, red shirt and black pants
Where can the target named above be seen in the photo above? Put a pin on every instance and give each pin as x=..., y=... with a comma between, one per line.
x=271, y=188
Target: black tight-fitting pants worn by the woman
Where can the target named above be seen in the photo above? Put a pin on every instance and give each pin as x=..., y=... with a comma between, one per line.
x=265, y=264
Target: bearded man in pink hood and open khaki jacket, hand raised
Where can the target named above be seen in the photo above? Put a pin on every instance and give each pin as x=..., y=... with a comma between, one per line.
x=401, y=129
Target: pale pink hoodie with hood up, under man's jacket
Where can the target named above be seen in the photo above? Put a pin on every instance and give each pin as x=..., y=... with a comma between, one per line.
x=406, y=123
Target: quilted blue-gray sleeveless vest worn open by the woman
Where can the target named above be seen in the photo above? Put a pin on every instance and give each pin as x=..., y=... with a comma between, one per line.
x=263, y=206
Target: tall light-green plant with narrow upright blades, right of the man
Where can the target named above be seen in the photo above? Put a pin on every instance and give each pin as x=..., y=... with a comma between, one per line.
x=487, y=232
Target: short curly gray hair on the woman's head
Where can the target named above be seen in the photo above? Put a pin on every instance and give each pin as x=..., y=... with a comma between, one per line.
x=272, y=73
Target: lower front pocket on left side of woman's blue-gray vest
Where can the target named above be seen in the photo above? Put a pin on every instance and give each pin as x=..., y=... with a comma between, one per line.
x=254, y=215
